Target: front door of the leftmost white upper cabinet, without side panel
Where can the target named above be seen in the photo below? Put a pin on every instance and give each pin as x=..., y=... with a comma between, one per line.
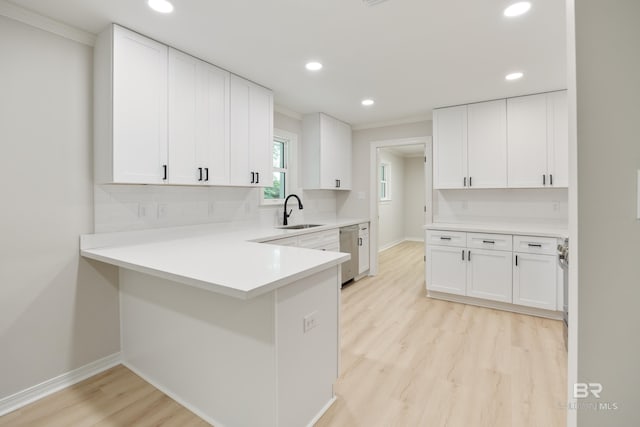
x=139, y=108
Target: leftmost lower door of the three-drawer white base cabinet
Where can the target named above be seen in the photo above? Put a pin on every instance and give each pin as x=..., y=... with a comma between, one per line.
x=446, y=271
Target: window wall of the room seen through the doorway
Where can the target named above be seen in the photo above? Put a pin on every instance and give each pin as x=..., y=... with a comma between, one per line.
x=391, y=212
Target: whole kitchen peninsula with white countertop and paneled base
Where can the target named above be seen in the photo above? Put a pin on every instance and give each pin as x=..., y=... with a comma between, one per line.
x=239, y=332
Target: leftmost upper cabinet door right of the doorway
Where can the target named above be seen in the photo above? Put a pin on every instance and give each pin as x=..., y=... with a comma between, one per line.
x=450, y=147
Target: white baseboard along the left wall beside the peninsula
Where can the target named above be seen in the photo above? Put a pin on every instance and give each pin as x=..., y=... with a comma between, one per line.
x=31, y=394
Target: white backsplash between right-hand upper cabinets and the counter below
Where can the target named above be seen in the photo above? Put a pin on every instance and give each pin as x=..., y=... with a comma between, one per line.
x=545, y=207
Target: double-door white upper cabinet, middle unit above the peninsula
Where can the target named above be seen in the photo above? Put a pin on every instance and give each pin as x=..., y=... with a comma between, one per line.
x=198, y=121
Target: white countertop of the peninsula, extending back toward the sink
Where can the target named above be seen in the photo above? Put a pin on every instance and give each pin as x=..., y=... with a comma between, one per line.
x=222, y=258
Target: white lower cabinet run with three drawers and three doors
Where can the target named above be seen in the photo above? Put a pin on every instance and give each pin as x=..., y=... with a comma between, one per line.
x=466, y=264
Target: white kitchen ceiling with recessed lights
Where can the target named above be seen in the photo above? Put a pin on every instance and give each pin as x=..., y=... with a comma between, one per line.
x=409, y=55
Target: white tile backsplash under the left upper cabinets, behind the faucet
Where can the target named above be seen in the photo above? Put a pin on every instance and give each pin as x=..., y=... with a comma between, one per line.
x=138, y=207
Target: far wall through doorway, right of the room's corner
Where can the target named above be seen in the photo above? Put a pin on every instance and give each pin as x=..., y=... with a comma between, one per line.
x=414, y=184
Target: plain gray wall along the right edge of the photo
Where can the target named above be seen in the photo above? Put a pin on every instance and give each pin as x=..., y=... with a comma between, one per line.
x=608, y=108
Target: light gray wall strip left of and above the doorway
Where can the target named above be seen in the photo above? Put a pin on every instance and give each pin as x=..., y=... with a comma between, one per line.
x=355, y=203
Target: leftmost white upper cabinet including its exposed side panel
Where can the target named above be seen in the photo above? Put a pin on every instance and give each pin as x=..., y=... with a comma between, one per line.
x=130, y=108
